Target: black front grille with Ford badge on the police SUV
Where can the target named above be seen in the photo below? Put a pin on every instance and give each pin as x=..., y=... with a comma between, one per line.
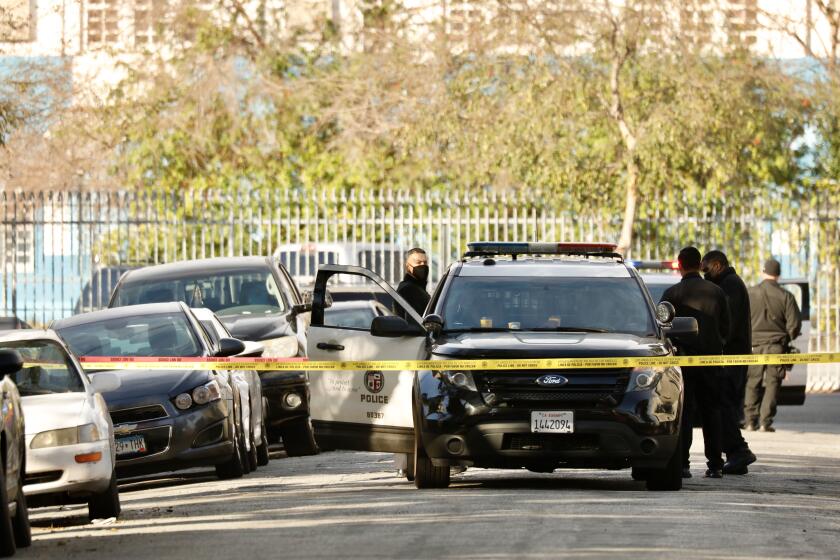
x=584, y=387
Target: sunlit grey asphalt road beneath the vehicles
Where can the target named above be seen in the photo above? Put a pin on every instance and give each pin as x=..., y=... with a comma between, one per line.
x=351, y=505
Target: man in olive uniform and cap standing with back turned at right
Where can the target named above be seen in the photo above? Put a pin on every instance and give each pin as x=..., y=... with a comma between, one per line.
x=776, y=322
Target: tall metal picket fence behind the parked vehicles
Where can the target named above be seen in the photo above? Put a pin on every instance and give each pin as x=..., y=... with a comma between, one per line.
x=64, y=251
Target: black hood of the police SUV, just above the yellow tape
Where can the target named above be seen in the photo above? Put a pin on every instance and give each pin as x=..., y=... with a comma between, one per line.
x=524, y=344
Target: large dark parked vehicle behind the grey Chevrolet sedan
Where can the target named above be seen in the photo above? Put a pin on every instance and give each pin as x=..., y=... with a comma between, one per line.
x=257, y=300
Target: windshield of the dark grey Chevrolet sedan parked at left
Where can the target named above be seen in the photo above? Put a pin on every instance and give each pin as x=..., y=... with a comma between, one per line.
x=161, y=334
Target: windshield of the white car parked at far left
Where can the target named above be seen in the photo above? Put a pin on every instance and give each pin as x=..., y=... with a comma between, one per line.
x=46, y=368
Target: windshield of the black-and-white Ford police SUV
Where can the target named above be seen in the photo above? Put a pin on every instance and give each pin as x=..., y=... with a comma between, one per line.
x=547, y=304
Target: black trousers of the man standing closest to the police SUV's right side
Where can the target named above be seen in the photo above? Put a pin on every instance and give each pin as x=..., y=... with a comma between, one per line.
x=702, y=394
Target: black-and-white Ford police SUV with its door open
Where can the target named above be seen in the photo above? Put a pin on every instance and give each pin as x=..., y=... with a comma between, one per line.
x=503, y=301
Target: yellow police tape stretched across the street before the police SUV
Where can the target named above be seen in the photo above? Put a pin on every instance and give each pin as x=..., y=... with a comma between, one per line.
x=281, y=364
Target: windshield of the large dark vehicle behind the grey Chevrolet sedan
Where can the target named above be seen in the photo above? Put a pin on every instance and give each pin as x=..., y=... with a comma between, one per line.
x=240, y=292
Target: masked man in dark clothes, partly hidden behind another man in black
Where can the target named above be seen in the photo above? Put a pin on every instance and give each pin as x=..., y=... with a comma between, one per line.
x=732, y=379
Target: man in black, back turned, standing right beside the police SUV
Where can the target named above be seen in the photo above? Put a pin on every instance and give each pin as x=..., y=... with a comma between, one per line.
x=701, y=299
